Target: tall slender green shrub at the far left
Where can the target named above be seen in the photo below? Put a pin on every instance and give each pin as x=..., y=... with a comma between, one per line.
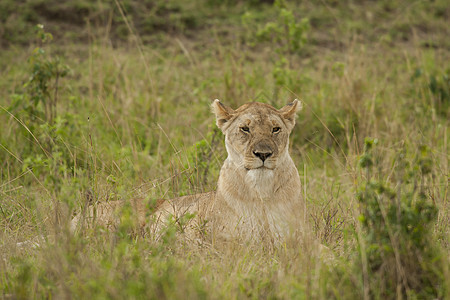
x=36, y=106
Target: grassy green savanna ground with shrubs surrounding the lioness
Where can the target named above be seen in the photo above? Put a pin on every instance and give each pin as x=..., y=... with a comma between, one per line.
x=115, y=105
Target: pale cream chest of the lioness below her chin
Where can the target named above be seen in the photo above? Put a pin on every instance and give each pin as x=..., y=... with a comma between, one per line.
x=257, y=202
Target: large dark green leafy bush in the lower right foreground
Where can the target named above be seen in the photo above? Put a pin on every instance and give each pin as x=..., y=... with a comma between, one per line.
x=397, y=223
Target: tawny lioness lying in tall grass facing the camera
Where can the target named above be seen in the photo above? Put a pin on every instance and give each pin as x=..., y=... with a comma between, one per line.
x=258, y=192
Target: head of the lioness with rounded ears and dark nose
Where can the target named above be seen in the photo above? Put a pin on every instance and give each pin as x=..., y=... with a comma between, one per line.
x=256, y=134
